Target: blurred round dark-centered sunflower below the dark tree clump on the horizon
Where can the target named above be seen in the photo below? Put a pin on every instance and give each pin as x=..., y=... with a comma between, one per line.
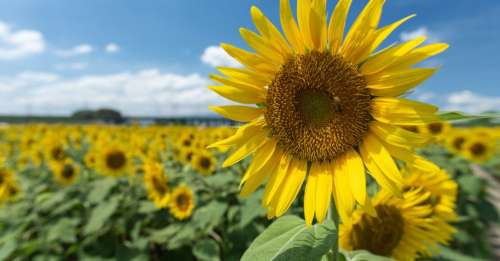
x=113, y=160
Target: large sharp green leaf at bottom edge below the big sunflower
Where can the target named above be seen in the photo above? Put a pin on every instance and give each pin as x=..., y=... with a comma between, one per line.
x=288, y=238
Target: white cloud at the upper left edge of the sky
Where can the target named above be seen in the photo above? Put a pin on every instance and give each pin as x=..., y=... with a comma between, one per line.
x=15, y=44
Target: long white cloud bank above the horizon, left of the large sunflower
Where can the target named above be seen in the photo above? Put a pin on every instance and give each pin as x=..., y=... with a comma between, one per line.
x=145, y=92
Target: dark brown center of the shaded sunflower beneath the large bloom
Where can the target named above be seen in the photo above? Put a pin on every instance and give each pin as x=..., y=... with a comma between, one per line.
x=379, y=235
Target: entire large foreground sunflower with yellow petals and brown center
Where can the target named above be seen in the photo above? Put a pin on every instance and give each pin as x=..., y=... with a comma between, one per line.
x=328, y=106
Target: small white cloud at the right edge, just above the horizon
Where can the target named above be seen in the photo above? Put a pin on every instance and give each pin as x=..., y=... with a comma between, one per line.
x=471, y=102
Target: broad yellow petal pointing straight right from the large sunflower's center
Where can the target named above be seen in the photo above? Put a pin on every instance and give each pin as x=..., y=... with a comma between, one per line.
x=401, y=111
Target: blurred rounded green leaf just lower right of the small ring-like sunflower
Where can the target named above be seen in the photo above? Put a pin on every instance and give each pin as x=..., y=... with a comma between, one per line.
x=210, y=215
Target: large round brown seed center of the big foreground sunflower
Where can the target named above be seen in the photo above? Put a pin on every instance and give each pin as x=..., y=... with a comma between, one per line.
x=318, y=106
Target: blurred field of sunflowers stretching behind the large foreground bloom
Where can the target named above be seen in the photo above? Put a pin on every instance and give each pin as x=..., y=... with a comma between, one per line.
x=103, y=192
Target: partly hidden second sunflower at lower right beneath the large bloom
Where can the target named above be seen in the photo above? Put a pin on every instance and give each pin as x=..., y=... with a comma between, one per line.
x=401, y=229
